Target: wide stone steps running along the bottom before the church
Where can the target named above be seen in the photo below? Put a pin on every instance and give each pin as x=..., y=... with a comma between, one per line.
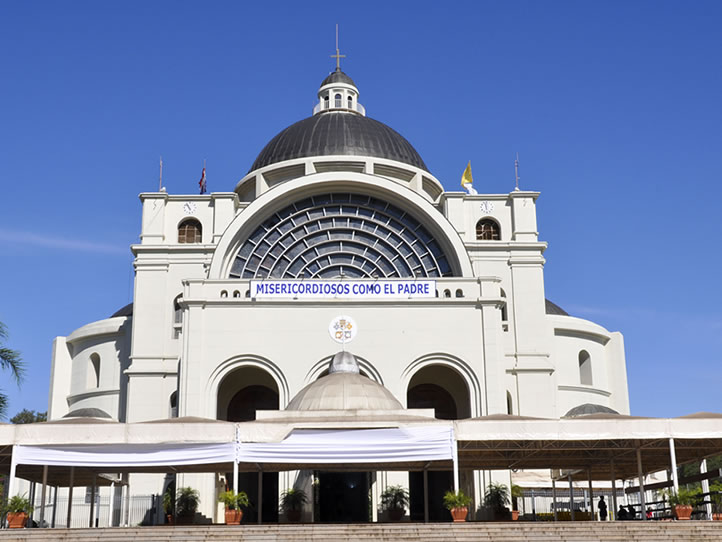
x=632, y=531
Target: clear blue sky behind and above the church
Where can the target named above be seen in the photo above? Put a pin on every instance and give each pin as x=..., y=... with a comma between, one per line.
x=614, y=108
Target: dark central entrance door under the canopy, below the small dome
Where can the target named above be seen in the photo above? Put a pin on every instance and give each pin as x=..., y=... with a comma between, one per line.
x=343, y=497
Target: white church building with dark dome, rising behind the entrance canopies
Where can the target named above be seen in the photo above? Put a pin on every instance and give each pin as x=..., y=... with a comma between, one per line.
x=338, y=237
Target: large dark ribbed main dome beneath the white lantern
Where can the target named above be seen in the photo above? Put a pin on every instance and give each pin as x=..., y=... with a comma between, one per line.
x=338, y=132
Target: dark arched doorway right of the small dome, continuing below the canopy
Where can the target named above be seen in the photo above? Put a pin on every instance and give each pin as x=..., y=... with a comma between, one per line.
x=443, y=389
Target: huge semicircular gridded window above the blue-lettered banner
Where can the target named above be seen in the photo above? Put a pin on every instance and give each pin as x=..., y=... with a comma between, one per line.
x=333, y=235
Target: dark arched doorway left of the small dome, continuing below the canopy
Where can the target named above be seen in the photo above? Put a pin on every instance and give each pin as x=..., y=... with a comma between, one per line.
x=240, y=395
